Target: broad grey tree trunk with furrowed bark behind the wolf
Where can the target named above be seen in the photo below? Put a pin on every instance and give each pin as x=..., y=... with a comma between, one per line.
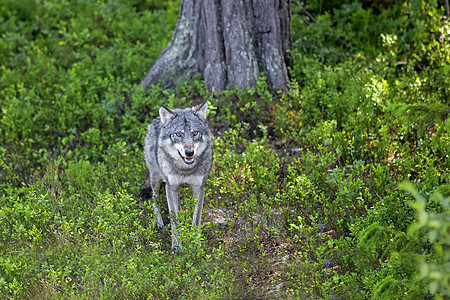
x=229, y=42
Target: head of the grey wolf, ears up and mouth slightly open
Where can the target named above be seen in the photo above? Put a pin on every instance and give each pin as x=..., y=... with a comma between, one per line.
x=185, y=134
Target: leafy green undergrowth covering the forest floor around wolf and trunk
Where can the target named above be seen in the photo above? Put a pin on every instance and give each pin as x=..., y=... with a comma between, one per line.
x=338, y=189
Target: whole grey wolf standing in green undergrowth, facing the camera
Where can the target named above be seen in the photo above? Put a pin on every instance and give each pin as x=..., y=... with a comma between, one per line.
x=178, y=151
